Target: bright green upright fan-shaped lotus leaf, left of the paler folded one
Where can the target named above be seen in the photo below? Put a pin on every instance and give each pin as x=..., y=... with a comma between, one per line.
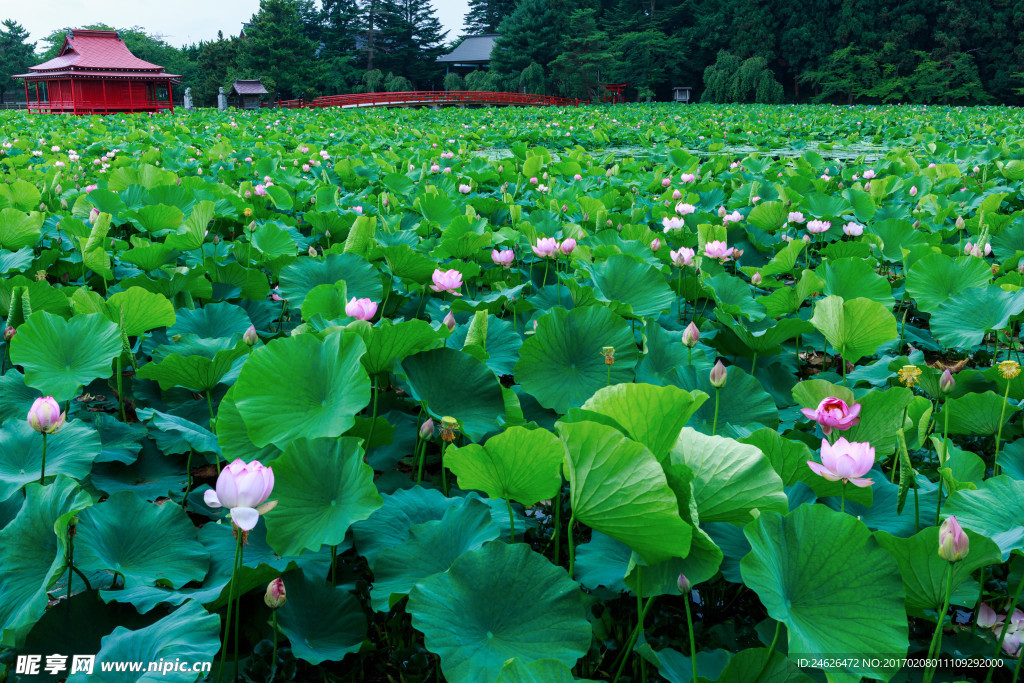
x=619, y=489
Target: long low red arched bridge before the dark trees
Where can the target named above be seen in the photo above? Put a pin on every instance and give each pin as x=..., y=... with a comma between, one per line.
x=432, y=99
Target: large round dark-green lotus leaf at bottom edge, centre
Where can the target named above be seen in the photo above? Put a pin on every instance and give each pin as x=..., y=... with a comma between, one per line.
x=497, y=604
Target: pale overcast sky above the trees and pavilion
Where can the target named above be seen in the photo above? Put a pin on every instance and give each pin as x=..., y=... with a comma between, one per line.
x=181, y=22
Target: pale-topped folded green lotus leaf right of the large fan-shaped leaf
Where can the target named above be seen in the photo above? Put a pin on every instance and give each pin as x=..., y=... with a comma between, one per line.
x=731, y=480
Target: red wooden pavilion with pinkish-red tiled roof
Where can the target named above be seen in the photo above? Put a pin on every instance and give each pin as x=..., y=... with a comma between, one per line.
x=96, y=73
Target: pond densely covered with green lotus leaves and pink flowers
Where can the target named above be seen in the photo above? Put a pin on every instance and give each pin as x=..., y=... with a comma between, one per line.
x=628, y=394
